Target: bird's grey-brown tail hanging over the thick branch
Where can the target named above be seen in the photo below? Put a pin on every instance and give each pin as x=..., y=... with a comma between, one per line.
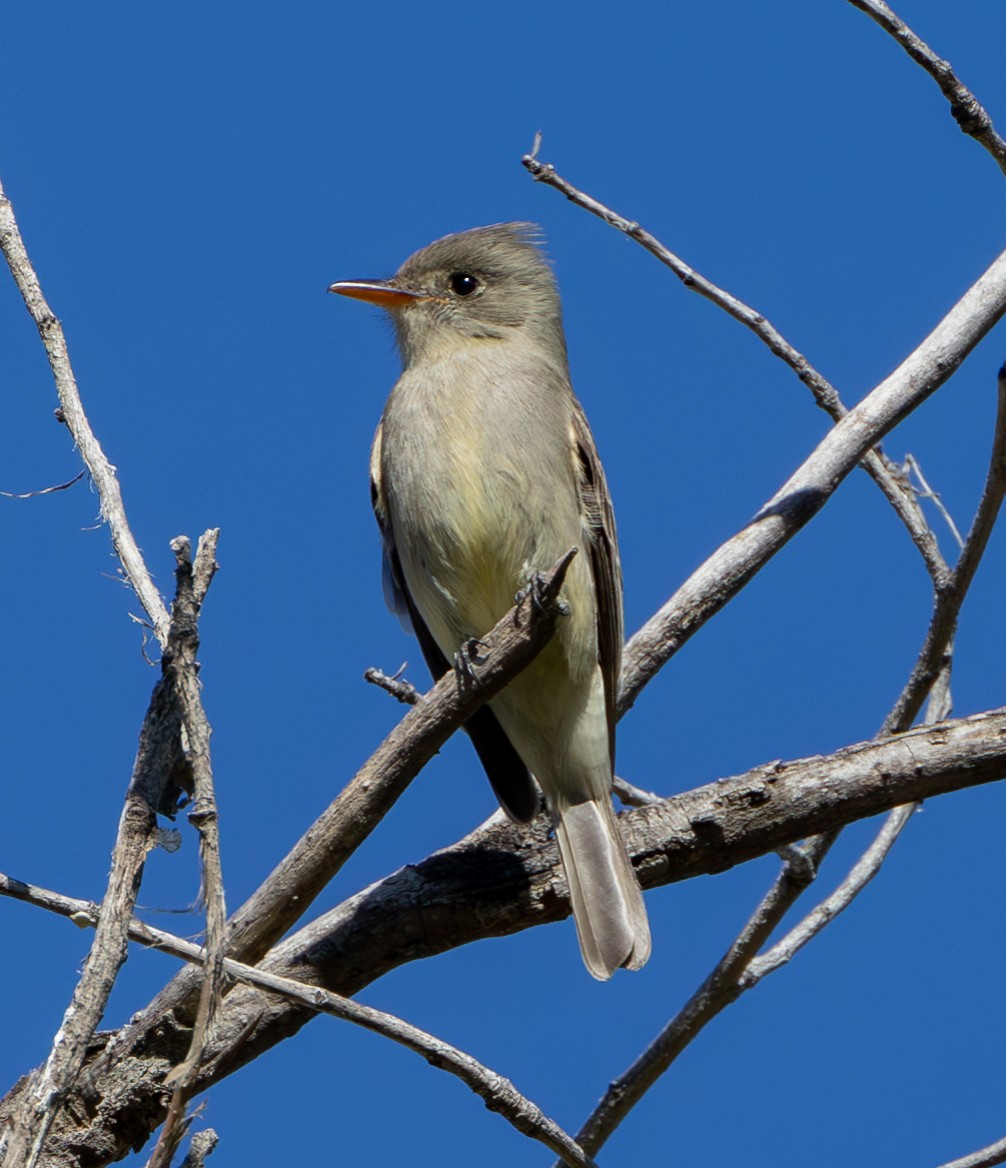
x=608, y=906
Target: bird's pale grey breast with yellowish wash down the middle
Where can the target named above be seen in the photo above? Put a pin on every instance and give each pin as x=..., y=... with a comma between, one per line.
x=480, y=485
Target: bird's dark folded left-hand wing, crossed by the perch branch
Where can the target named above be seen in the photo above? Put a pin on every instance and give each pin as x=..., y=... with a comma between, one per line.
x=510, y=778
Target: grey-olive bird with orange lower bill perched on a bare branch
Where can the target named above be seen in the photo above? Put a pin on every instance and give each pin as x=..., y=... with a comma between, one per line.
x=484, y=472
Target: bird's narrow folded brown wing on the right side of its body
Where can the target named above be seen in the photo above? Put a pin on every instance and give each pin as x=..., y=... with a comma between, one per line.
x=599, y=522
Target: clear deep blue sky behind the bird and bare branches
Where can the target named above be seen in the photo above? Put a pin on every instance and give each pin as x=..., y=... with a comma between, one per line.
x=190, y=180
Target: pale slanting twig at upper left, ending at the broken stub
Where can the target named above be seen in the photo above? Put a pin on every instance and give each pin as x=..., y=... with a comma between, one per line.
x=102, y=471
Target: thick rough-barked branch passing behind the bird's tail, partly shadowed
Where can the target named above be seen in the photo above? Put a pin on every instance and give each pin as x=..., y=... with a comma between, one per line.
x=504, y=879
